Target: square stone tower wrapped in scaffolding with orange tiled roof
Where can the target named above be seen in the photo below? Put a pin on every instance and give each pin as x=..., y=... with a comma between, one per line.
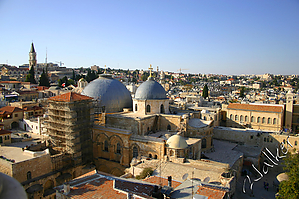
x=69, y=125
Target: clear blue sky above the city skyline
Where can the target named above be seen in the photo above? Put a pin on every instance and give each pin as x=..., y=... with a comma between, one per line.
x=201, y=36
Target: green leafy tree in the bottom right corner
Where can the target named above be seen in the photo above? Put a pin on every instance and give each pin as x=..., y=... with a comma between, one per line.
x=289, y=189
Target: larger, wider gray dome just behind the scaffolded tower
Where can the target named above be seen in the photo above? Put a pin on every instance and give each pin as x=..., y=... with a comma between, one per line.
x=110, y=93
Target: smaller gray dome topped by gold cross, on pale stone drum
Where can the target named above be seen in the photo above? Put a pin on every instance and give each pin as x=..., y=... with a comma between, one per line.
x=150, y=89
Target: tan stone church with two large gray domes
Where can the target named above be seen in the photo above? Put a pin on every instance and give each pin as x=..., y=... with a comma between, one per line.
x=144, y=131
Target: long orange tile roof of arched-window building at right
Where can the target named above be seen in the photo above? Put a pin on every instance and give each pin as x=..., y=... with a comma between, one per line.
x=256, y=107
